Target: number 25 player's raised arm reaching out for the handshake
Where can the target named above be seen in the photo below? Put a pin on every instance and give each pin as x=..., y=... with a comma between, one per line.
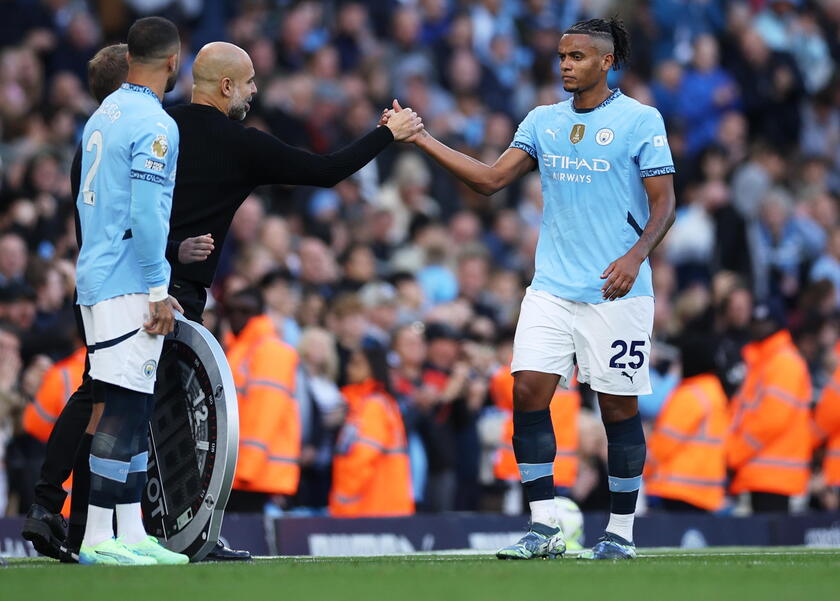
x=484, y=179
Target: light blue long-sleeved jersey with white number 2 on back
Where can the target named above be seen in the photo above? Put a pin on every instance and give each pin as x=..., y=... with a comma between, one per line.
x=129, y=155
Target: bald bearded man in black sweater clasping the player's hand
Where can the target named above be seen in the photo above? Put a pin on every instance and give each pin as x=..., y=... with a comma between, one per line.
x=219, y=163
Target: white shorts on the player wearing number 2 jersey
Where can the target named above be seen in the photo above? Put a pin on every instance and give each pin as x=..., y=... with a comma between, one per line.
x=119, y=349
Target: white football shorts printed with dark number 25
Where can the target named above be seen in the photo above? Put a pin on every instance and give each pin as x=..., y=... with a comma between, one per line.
x=611, y=341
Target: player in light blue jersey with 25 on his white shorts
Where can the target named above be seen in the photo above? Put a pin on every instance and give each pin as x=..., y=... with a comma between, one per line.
x=605, y=168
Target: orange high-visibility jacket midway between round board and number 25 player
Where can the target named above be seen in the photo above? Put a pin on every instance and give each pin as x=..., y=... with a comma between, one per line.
x=371, y=472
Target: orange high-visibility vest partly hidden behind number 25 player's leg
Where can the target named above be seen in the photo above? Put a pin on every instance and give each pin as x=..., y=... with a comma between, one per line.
x=565, y=407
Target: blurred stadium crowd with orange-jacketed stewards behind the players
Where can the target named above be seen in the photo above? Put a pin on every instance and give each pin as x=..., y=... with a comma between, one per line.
x=385, y=306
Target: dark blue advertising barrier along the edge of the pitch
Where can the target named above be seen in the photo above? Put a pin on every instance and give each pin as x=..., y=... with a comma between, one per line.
x=482, y=532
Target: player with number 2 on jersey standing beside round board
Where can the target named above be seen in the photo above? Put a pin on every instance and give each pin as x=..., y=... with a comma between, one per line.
x=130, y=150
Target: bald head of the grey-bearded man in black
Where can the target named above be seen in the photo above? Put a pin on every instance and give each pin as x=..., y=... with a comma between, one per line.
x=223, y=76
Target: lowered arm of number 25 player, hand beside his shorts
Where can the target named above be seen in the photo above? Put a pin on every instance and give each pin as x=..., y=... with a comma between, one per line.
x=621, y=273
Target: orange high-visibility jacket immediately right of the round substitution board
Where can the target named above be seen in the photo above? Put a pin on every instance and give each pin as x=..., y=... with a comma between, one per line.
x=263, y=369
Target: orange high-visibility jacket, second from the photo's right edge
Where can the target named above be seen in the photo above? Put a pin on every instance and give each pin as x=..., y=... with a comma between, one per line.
x=770, y=442
